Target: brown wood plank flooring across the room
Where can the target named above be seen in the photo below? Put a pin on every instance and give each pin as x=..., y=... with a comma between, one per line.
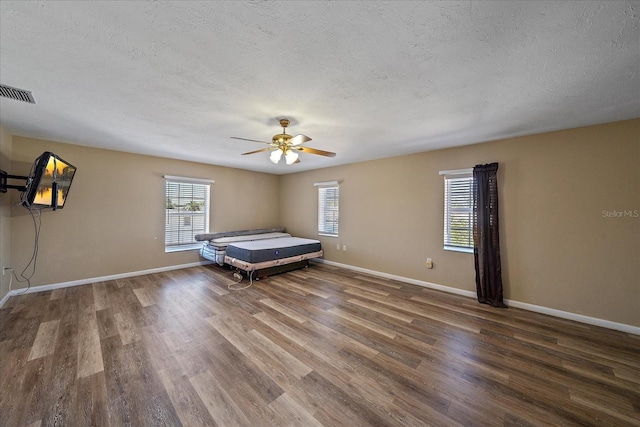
x=321, y=346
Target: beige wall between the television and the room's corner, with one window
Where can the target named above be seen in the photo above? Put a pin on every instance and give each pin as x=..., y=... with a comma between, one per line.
x=113, y=221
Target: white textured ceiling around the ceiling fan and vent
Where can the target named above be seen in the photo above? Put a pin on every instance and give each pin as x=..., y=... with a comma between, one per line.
x=364, y=79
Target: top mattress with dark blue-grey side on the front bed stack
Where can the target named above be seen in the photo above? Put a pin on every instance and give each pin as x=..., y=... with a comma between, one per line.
x=258, y=251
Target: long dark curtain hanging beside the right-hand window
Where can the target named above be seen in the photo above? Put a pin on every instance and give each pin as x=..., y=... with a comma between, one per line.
x=486, y=236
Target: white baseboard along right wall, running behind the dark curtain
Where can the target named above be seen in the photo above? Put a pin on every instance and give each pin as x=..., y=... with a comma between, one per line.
x=511, y=303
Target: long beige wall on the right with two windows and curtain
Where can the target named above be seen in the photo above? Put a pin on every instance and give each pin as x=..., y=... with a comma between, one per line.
x=558, y=249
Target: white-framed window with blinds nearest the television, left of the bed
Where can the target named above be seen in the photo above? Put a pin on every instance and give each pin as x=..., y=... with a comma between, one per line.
x=187, y=212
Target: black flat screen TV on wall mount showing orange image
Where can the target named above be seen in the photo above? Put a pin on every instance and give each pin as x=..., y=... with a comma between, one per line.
x=48, y=183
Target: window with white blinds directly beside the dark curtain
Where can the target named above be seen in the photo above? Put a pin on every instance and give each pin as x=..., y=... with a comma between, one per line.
x=458, y=210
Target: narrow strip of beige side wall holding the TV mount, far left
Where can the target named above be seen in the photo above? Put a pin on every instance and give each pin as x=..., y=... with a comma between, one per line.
x=5, y=211
